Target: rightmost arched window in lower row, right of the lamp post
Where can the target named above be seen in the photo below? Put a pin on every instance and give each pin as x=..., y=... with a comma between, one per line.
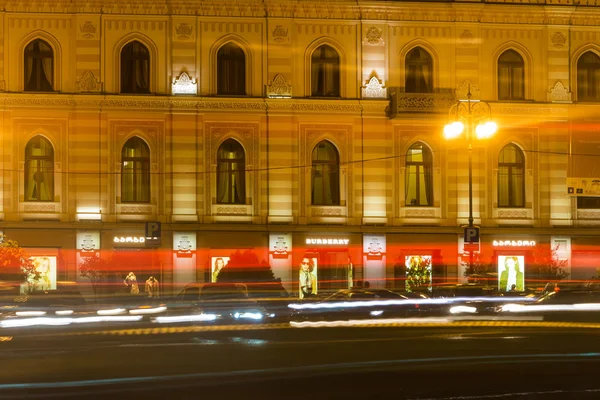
x=511, y=177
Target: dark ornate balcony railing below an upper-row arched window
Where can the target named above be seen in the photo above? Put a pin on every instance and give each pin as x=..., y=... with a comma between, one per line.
x=439, y=101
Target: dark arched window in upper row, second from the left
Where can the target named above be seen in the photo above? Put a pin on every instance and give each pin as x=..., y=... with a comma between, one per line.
x=135, y=68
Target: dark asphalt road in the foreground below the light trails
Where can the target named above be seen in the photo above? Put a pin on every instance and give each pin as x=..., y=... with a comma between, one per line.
x=463, y=360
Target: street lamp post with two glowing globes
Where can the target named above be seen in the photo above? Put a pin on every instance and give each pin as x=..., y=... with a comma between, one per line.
x=472, y=115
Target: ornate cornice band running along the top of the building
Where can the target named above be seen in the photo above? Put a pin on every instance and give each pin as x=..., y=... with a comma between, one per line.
x=556, y=12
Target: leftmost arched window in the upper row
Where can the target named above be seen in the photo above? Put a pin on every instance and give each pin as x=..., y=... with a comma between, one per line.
x=39, y=67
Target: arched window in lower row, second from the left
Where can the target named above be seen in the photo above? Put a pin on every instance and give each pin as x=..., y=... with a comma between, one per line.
x=135, y=171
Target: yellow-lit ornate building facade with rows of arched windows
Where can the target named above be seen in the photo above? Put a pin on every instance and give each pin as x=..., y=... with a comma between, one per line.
x=299, y=129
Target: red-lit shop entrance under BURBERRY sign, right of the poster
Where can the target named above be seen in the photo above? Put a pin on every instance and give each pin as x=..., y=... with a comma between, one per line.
x=334, y=269
